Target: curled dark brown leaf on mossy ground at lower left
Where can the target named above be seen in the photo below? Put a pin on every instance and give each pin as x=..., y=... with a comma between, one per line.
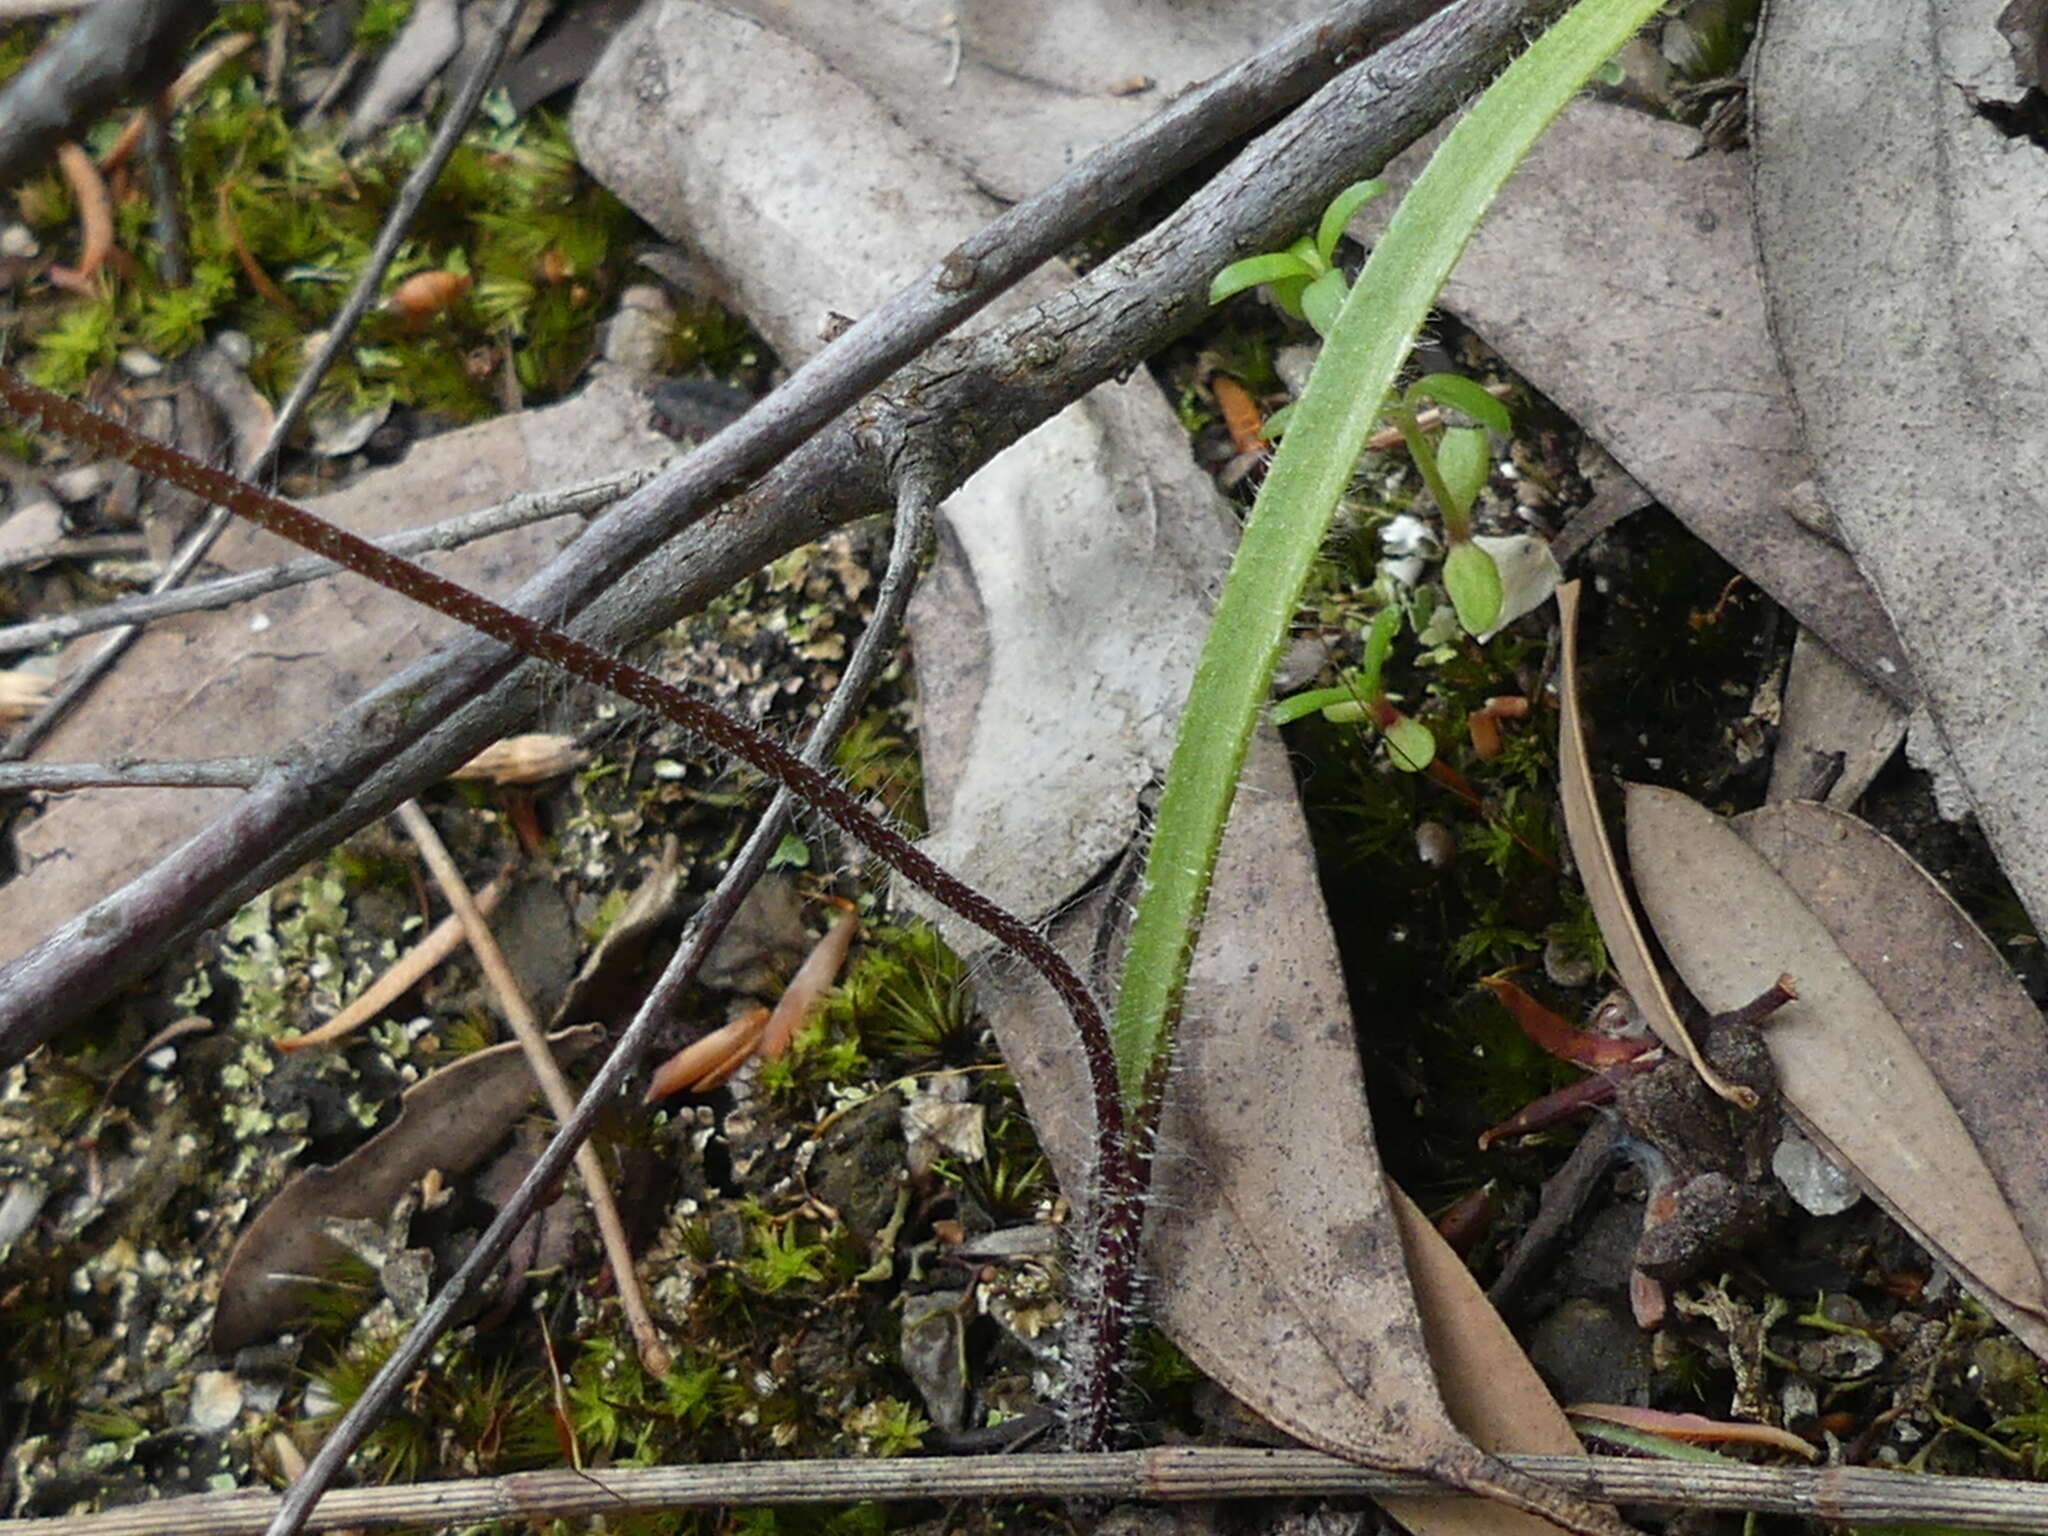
x=447, y=1121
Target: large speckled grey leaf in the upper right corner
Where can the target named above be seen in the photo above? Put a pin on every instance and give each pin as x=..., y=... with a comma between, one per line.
x=1879, y=189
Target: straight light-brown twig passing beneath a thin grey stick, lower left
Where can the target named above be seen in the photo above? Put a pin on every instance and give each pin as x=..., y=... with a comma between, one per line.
x=654, y=1353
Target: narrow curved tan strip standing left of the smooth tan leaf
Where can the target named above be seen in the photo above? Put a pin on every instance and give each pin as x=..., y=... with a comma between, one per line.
x=1603, y=878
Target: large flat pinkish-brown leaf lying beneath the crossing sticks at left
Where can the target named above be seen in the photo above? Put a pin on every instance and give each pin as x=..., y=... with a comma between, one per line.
x=255, y=677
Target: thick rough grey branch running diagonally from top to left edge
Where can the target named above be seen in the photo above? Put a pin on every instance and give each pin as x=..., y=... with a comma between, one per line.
x=978, y=394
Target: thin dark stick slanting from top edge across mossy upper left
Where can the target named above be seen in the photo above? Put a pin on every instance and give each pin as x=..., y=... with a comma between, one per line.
x=454, y=124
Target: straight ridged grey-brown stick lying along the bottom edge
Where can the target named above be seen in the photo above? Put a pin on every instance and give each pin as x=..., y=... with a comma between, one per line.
x=1840, y=1496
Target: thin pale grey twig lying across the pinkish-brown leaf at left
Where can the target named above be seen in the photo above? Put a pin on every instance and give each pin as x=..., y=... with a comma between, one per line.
x=224, y=591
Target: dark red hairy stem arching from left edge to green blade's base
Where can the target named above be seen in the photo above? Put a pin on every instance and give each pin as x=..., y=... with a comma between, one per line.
x=531, y=638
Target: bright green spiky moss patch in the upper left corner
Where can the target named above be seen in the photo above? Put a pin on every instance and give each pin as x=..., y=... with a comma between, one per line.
x=280, y=224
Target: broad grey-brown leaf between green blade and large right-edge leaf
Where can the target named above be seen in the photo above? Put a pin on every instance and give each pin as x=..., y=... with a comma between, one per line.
x=1621, y=280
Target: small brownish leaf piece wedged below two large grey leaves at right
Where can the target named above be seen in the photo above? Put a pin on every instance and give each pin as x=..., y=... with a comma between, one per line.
x=1838, y=730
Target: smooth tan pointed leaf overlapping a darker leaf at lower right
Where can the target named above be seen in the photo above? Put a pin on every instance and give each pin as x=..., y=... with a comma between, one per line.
x=1850, y=1072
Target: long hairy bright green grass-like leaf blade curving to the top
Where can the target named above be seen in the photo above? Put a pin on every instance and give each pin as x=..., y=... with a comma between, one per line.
x=1328, y=431
